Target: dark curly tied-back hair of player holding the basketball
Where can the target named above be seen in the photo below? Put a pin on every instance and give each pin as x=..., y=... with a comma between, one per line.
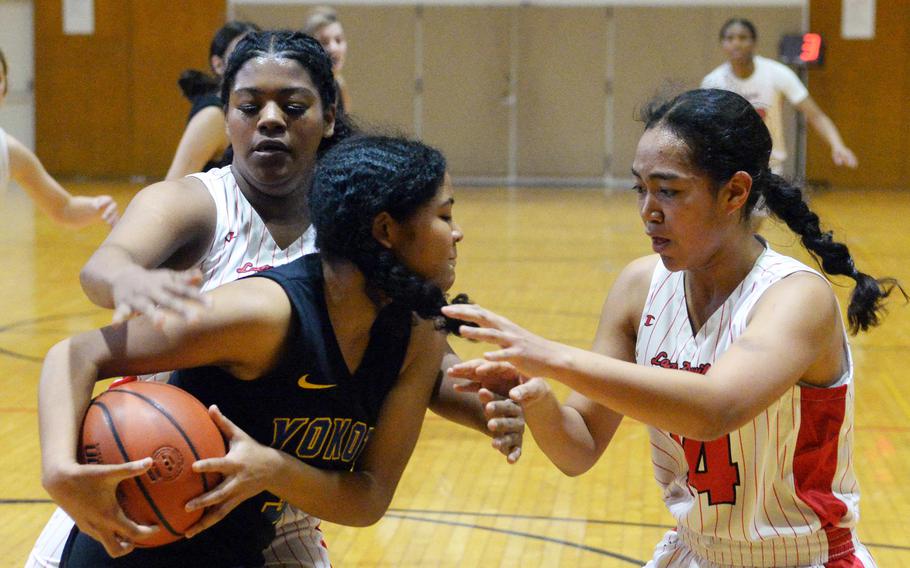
x=357, y=180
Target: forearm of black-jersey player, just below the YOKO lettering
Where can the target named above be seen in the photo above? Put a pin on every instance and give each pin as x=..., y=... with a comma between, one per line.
x=347, y=498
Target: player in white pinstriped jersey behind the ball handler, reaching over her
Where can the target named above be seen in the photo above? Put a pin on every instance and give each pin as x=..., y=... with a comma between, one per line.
x=182, y=237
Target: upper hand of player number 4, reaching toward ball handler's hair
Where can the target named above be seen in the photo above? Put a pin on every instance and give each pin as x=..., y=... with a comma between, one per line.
x=531, y=355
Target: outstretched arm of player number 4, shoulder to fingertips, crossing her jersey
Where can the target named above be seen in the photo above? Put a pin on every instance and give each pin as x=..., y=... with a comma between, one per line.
x=794, y=334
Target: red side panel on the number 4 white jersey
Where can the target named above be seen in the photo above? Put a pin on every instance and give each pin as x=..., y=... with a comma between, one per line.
x=822, y=413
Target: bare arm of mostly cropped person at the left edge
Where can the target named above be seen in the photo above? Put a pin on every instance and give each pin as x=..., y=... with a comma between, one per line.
x=50, y=197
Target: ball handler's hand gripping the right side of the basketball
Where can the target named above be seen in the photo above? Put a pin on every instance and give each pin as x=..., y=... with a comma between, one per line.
x=246, y=469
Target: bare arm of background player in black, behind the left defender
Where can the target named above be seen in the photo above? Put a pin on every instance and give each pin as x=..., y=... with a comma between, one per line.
x=203, y=140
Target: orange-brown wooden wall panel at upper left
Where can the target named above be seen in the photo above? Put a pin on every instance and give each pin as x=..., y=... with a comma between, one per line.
x=107, y=104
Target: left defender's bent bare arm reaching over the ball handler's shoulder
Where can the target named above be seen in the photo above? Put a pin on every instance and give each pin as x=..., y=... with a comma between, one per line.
x=168, y=223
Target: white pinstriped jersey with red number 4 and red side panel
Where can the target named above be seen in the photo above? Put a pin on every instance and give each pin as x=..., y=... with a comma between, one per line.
x=780, y=491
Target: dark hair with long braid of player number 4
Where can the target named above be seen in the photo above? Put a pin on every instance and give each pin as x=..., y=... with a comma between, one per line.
x=725, y=135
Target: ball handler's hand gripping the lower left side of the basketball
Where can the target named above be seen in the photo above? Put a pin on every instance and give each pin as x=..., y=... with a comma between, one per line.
x=88, y=493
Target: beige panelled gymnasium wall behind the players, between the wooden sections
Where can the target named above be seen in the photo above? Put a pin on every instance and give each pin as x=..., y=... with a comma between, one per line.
x=581, y=75
